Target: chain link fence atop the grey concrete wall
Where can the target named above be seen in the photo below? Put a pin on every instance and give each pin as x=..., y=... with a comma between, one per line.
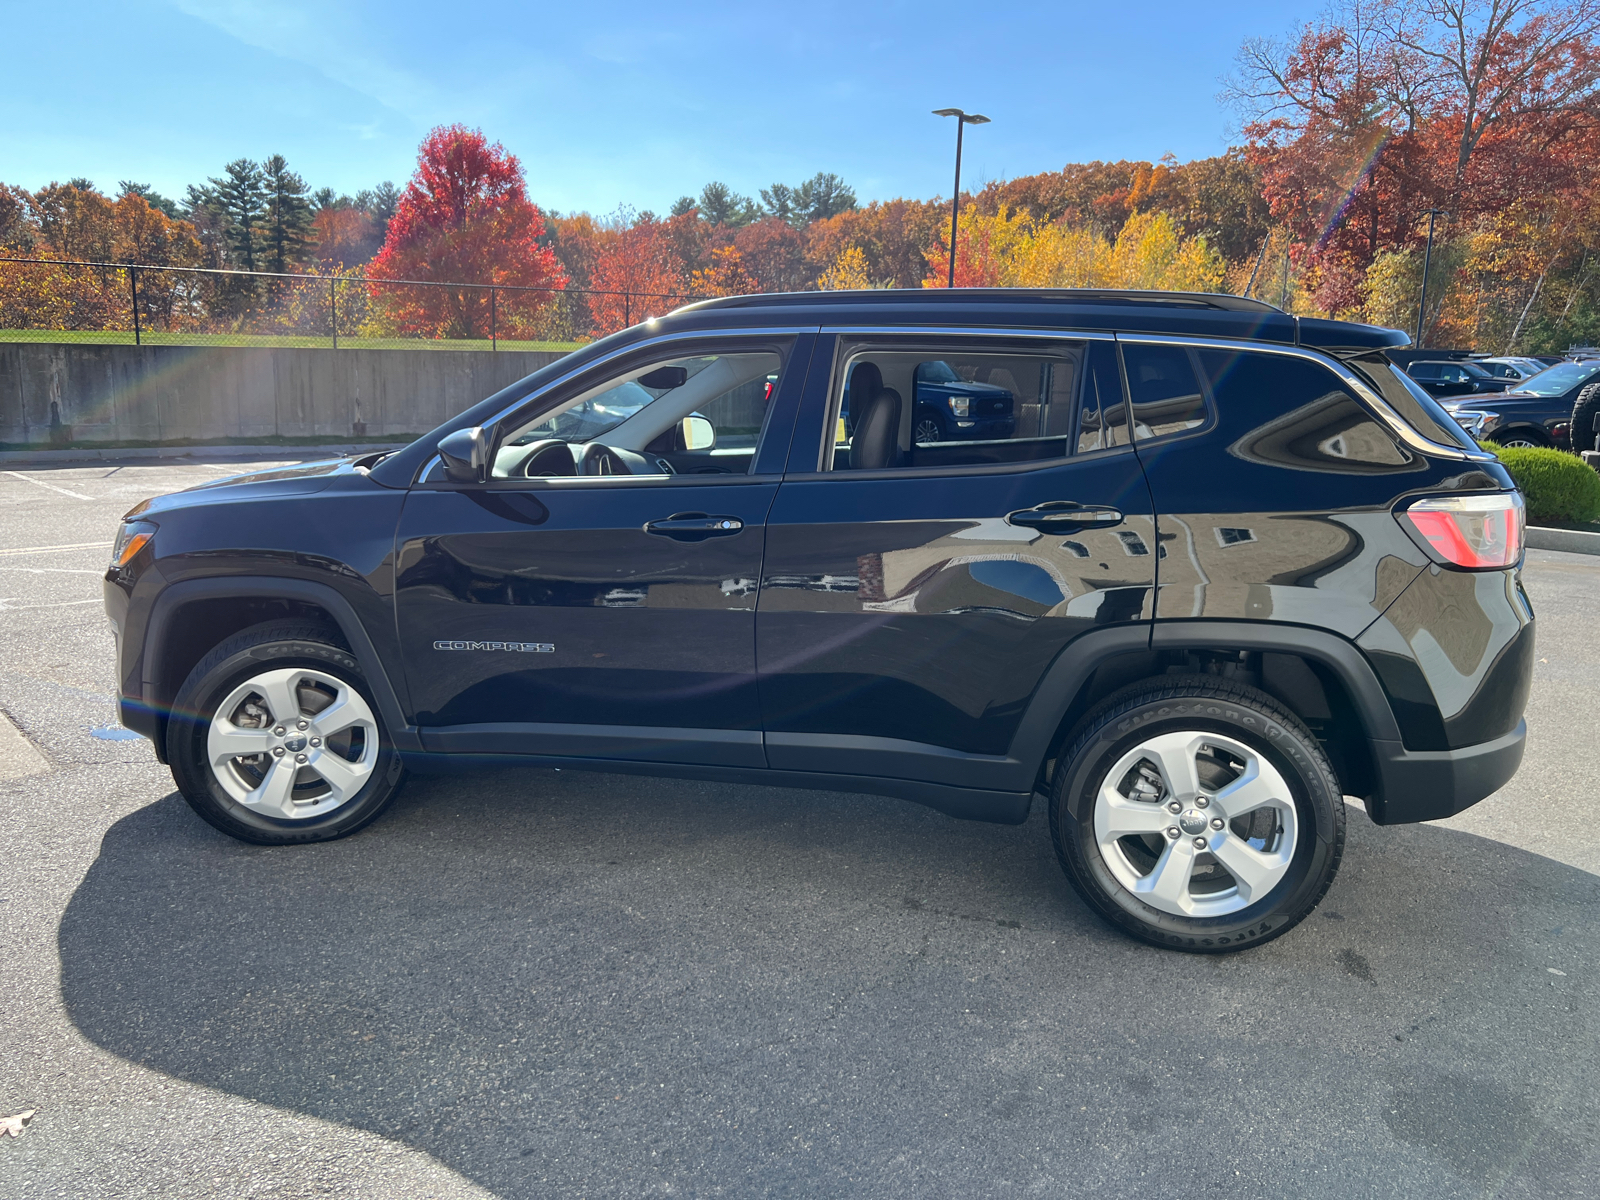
x=127, y=303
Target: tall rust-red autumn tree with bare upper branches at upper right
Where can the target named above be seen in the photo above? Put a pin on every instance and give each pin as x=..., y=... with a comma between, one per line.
x=1390, y=108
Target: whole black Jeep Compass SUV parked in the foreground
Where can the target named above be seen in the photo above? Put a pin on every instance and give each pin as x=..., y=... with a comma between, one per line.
x=1226, y=569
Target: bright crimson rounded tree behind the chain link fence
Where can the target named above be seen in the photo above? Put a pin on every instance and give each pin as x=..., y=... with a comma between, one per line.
x=465, y=218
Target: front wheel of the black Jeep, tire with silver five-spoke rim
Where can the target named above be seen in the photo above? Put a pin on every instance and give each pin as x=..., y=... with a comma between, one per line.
x=297, y=694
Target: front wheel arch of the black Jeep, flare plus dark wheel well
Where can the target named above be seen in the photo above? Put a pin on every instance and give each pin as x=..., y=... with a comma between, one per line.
x=188, y=620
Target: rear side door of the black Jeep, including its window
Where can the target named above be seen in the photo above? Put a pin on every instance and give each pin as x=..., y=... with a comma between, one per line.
x=914, y=594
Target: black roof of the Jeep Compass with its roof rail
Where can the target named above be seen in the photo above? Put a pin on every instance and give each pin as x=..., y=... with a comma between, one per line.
x=1166, y=313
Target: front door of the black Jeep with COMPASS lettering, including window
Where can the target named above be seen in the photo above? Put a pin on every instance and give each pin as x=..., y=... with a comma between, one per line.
x=598, y=596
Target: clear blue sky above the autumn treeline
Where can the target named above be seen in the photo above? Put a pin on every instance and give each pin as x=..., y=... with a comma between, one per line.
x=617, y=102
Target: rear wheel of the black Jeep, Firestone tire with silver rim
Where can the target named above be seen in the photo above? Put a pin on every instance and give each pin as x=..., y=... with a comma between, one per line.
x=1254, y=767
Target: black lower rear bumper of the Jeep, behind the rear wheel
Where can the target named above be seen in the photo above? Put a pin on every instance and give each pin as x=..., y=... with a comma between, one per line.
x=1433, y=785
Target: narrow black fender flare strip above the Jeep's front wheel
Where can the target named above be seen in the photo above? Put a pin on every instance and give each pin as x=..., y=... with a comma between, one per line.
x=276, y=588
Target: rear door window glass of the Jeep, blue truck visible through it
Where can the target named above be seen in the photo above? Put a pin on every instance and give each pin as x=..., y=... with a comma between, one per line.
x=962, y=406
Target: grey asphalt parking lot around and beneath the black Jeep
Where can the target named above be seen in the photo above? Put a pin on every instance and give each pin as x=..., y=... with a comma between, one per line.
x=567, y=985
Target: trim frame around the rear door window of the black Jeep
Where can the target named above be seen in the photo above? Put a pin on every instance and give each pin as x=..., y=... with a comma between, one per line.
x=913, y=334
